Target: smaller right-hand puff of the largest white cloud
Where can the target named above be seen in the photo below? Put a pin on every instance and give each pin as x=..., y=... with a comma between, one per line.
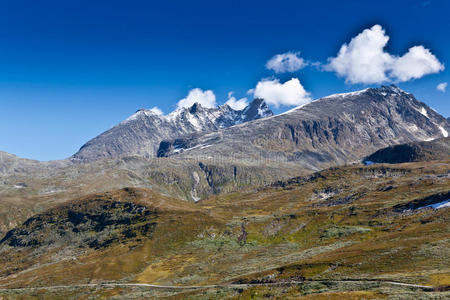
x=416, y=63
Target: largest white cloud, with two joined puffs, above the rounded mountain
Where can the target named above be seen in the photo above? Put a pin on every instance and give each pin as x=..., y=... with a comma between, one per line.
x=364, y=60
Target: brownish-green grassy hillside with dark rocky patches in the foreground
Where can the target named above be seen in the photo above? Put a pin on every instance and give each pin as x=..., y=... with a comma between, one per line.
x=343, y=232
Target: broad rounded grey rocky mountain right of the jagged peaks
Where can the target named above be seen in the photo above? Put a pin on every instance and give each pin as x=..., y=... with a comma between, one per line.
x=334, y=130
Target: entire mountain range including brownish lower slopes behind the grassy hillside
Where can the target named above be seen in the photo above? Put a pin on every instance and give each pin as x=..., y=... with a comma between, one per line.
x=196, y=152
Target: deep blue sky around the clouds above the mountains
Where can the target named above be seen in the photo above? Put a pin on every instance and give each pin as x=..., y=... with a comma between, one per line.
x=70, y=70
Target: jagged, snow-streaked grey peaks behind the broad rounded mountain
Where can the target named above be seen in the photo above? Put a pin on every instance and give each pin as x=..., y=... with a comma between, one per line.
x=142, y=132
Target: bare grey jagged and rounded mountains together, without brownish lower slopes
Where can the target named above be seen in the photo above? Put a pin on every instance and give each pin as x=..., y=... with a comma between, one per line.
x=338, y=128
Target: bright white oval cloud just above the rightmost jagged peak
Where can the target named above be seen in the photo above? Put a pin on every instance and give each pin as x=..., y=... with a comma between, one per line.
x=275, y=93
